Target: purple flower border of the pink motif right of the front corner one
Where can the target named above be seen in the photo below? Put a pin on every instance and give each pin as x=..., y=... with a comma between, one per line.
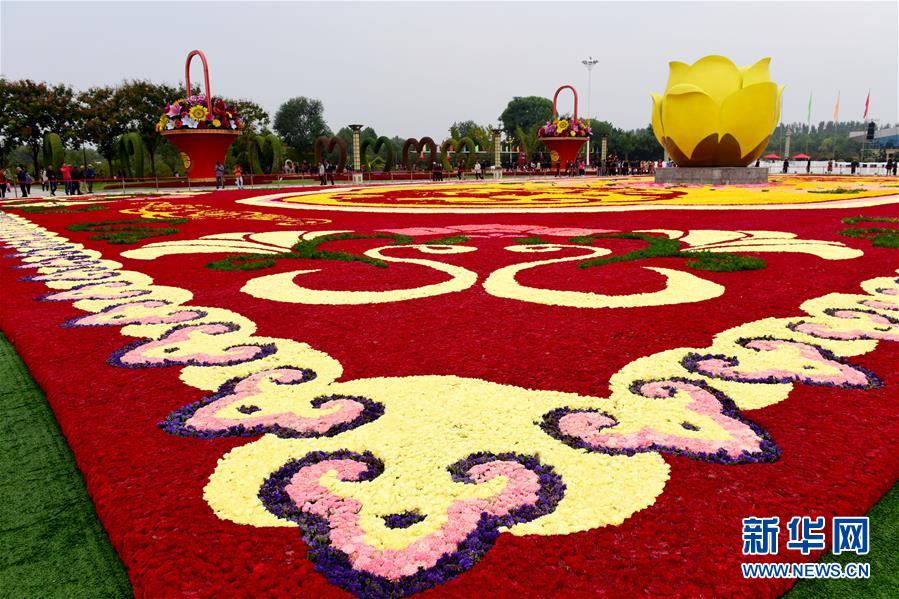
x=769, y=451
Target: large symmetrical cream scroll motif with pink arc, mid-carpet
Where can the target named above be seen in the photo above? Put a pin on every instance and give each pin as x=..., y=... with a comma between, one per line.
x=678, y=286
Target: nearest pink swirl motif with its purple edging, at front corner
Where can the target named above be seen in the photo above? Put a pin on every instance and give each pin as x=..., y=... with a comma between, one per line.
x=299, y=491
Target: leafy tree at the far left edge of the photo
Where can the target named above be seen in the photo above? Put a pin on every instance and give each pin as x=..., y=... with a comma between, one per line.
x=31, y=110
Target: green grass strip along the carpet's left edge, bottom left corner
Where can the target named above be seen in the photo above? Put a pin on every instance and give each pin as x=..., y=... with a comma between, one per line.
x=53, y=544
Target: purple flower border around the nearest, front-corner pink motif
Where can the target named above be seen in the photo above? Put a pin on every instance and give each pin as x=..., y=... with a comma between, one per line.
x=335, y=565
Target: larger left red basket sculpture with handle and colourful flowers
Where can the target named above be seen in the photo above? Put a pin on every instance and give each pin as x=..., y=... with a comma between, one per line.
x=201, y=127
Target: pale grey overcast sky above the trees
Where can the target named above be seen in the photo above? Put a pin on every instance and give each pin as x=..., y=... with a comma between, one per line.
x=413, y=68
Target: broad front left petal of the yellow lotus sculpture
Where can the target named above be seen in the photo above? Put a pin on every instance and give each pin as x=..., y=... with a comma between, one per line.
x=688, y=118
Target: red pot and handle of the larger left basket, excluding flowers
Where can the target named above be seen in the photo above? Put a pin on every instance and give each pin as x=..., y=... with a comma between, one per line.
x=201, y=148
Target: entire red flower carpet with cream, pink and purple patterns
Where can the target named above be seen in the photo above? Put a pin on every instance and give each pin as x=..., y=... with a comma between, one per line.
x=507, y=389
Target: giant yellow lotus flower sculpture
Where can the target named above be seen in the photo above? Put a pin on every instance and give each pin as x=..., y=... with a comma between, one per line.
x=715, y=113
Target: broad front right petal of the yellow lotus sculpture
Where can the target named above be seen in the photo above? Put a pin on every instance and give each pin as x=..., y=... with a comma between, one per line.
x=750, y=115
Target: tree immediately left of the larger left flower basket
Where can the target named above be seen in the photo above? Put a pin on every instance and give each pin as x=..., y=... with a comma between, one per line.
x=142, y=103
